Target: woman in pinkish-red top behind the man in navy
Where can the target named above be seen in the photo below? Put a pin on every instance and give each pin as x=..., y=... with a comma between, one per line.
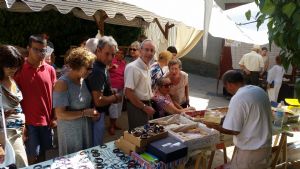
x=116, y=72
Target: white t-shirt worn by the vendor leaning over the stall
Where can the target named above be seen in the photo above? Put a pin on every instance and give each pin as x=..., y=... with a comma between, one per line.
x=250, y=114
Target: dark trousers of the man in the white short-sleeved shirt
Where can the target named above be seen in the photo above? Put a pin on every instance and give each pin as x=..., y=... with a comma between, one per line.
x=136, y=116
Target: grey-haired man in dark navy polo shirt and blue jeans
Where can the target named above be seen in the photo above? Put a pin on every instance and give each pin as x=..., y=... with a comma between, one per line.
x=98, y=83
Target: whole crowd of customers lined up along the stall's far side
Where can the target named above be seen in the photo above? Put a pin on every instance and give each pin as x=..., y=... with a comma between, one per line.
x=97, y=79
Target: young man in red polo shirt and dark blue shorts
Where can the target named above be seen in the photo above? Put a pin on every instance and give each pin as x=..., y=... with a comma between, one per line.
x=36, y=80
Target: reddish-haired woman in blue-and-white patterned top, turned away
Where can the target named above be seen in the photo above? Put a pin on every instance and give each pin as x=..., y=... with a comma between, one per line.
x=159, y=68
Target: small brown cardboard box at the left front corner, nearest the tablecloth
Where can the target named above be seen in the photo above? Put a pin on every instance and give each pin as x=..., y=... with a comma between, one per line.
x=127, y=147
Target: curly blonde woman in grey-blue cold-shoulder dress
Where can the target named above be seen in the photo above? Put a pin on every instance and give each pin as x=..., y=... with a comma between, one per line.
x=72, y=101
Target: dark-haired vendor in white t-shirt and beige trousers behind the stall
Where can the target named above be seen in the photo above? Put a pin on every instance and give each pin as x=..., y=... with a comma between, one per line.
x=249, y=120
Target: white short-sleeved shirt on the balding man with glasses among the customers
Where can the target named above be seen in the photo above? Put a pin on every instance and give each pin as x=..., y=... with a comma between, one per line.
x=137, y=77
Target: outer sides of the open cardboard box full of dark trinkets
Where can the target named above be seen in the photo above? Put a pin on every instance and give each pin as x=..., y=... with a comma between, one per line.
x=143, y=142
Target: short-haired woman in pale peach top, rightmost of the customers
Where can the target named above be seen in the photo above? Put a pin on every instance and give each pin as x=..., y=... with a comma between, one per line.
x=180, y=83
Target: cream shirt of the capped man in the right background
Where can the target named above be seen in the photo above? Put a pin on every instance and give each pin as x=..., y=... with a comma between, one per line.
x=252, y=61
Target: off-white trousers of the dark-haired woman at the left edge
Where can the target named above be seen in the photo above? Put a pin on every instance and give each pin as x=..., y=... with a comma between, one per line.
x=15, y=139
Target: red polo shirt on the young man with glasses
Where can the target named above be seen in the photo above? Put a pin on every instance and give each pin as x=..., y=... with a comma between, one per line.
x=36, y=85
